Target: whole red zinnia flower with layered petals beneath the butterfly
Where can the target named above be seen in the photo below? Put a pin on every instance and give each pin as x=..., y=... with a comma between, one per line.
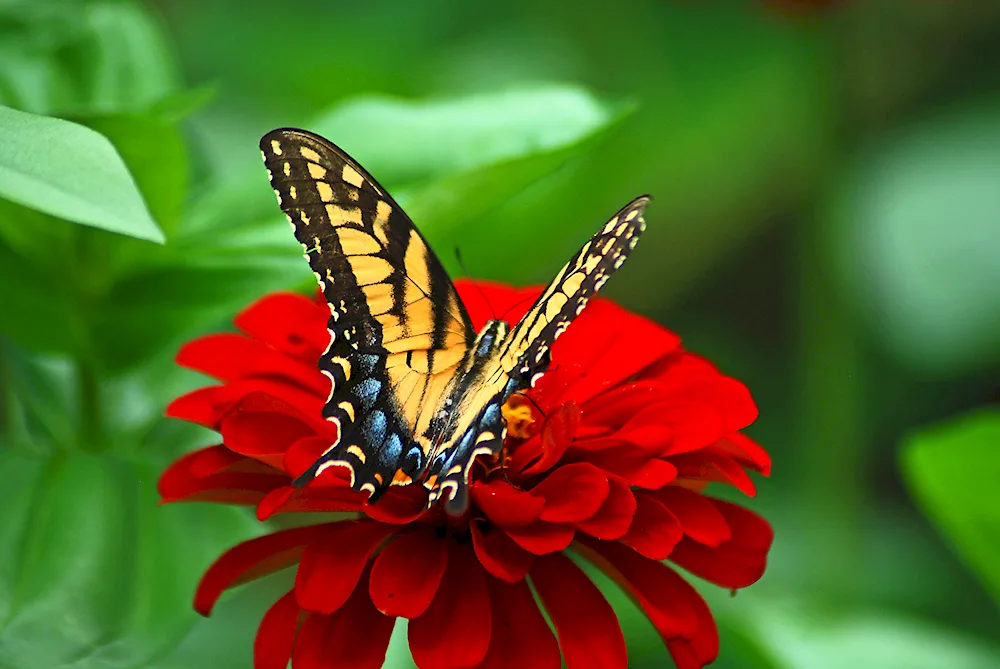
x=608, y=459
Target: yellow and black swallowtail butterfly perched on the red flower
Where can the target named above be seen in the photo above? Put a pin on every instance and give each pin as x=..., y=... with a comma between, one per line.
x=416, y=393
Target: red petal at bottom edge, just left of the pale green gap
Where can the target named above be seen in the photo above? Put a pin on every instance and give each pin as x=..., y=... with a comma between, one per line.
x=354, y=637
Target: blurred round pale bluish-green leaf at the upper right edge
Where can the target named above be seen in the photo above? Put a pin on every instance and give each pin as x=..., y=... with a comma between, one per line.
x=915, y=232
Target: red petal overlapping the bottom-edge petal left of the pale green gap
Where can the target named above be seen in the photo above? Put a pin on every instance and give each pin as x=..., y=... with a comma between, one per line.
x=331, y=565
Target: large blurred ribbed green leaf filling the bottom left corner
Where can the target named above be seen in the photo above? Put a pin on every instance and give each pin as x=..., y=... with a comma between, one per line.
x=93, y=574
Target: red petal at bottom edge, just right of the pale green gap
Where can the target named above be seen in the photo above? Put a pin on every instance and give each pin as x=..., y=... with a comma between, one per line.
x=454, y=633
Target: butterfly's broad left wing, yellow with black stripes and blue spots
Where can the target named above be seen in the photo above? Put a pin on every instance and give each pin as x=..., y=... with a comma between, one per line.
x=398, y=329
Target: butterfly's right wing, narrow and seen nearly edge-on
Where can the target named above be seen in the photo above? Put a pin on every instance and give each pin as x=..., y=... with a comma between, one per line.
x=523, y=356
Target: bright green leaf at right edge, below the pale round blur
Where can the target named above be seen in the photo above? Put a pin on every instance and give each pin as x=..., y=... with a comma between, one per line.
x=952, y=470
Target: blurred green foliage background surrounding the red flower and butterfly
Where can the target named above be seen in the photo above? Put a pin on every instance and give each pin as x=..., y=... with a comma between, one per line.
x=825, y=227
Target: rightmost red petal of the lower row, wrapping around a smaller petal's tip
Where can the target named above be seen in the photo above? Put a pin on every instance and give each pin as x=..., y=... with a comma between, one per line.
x=736, y=563
